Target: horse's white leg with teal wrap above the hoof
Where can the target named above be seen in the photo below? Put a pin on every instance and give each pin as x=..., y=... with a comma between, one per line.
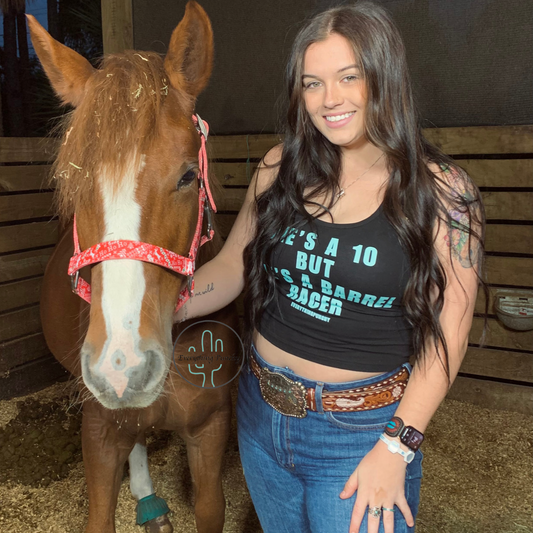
x=152, y=511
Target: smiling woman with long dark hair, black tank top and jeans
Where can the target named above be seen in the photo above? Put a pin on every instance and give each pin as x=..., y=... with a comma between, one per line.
x=358, y=246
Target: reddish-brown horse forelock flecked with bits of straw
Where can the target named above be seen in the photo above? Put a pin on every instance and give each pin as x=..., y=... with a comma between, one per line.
x=117, y=121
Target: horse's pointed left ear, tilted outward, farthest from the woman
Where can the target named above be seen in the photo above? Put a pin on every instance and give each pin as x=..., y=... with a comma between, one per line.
x=67, y=70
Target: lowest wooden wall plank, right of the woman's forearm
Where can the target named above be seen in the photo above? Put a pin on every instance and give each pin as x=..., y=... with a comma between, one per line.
x=493, y=395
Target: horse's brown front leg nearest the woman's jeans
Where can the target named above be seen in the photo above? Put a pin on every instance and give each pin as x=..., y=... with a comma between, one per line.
x=205, y=451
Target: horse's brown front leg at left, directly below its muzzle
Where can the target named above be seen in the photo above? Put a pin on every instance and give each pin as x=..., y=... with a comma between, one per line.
x=105, y=450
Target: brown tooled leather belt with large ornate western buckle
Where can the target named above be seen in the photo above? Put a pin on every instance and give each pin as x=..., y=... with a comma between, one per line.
x=291, y=398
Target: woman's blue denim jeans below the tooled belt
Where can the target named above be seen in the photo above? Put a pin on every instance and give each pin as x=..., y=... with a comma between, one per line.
x=295, y=468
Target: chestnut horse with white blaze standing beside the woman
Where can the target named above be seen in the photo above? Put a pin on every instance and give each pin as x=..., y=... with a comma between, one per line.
x=127, y=170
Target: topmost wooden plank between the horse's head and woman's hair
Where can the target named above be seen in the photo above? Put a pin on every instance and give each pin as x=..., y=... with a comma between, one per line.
x=241, y=146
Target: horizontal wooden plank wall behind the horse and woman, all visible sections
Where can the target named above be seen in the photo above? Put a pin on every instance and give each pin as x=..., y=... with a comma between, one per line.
x=500, y=160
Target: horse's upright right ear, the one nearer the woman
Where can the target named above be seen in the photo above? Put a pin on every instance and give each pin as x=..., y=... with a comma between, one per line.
x=189, y=59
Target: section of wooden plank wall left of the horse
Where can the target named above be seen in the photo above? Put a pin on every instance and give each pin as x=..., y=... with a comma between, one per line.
x=27, y=236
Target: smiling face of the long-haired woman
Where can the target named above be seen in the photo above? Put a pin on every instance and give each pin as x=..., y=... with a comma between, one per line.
x=334, y=91
